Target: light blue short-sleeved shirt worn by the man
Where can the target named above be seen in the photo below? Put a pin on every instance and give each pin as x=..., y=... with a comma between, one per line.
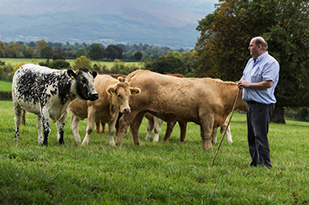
x=266, y=67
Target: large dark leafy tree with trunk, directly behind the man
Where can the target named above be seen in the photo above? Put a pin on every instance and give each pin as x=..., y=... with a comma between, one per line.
x=225, y=34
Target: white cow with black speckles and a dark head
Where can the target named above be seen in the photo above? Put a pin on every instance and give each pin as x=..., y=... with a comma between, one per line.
x=47, y=93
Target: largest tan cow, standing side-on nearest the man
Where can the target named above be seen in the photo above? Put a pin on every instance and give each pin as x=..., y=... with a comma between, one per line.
x=204, y=101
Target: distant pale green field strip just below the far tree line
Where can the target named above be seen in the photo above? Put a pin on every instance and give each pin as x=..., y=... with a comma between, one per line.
x=17, y=61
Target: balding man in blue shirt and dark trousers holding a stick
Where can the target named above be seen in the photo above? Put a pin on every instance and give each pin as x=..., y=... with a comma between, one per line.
x=259, y=80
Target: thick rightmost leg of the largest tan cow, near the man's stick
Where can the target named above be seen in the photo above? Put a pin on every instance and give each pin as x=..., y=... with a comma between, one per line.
x=207, y=122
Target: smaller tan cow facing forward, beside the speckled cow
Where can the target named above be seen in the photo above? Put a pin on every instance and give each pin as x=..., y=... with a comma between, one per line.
x=113, y=98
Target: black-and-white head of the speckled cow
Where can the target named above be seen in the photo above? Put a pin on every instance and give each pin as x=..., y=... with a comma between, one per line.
x=84, y=83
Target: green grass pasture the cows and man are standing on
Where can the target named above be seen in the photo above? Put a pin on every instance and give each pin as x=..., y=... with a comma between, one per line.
x=153, y=173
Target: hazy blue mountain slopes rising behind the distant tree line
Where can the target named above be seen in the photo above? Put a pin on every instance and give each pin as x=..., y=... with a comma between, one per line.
x=169, y=23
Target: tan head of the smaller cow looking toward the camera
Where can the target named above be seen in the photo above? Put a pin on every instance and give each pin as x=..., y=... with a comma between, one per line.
x=120, y=94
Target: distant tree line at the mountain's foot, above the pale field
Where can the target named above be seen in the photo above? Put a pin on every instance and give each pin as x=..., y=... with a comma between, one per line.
x=94, y=51
